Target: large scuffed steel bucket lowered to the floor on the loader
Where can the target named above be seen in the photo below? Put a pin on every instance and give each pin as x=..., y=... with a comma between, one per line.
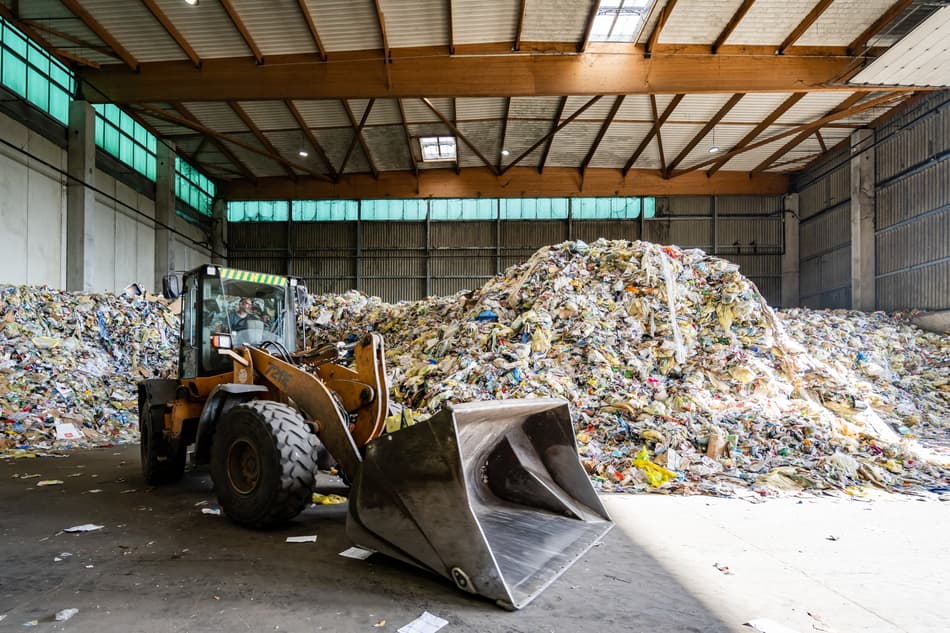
x=490, y=495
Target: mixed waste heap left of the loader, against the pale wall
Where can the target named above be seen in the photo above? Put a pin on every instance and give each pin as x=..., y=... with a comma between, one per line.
x=69, y=364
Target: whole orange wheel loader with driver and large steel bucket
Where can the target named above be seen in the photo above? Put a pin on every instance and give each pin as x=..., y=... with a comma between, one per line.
x=490, y=495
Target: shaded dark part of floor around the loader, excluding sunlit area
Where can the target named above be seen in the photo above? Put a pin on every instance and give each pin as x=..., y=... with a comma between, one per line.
x=159, y=549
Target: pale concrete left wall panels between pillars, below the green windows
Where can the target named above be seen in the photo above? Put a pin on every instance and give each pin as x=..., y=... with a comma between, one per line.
x=33, y=221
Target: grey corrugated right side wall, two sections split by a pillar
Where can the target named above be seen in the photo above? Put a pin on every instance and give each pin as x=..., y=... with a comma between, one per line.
x=911, y=215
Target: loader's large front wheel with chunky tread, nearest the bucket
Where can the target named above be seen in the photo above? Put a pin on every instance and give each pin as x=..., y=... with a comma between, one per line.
x=263, y=463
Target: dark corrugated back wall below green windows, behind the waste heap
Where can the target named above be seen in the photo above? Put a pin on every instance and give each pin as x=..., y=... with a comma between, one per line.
x=409, y=260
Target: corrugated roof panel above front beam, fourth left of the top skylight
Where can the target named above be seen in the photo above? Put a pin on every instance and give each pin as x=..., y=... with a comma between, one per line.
x=346, y=25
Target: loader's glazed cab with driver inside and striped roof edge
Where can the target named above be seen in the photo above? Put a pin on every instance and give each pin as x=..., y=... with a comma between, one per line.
x=254, y=308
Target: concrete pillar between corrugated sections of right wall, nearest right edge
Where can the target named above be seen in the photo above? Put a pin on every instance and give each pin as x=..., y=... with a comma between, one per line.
x=862, y=221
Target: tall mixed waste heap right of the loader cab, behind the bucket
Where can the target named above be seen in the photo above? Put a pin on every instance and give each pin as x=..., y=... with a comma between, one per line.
x=681, y=377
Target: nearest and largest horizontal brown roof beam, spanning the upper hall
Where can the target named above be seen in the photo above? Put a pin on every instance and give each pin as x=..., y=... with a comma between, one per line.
x=473, y=76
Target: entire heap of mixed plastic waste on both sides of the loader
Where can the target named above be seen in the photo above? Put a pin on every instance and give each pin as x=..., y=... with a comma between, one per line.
x=680, y=377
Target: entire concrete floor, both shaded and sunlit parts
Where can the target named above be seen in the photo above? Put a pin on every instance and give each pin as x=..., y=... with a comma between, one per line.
x=159, y=564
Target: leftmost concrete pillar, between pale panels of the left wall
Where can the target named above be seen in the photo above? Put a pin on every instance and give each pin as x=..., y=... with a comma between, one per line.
x=80, y=198
